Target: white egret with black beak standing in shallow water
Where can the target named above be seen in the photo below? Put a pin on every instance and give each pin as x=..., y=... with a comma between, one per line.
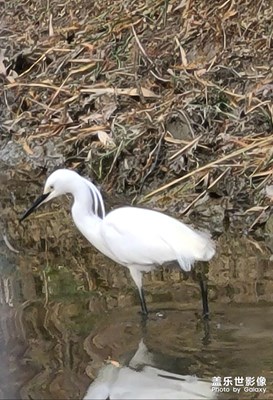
x=137, y=238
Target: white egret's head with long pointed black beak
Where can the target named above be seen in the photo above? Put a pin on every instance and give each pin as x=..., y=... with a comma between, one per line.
x=58, y=183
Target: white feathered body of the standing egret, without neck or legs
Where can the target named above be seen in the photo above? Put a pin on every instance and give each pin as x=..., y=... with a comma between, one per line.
x=137, y=236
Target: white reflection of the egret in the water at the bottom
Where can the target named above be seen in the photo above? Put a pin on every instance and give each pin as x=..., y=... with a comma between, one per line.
x=142, y=381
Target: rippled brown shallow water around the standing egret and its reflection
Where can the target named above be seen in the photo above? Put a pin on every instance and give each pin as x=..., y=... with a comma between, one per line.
x=65, y=309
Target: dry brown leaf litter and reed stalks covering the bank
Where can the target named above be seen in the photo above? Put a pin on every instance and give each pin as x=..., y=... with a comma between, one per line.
x=172, y=99
